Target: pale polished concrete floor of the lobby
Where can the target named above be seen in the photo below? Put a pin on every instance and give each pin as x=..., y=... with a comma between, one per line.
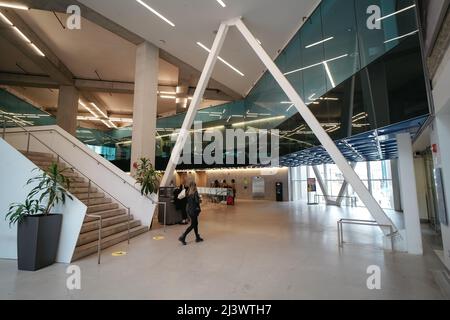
x=255, y=250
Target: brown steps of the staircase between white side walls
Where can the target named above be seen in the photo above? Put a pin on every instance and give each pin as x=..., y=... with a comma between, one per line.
x=114, y=218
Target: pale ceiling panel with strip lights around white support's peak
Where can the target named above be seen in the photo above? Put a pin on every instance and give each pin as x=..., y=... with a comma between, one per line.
x=272, y=22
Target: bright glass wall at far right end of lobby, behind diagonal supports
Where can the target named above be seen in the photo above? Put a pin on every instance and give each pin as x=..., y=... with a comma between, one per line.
x=376, y=175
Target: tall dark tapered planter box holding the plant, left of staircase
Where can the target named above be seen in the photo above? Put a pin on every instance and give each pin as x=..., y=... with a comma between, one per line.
x=37, y=241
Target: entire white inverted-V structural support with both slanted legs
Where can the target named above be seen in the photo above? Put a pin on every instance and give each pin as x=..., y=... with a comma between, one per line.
x=349, y=174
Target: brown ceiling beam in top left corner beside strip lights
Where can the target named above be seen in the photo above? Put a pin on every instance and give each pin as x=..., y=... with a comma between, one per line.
x=50, y=64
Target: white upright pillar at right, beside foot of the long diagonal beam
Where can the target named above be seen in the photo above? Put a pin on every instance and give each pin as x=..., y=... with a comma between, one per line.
x=408, y=187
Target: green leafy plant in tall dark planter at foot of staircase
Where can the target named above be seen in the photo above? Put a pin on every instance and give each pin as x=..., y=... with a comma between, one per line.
x=38, y=229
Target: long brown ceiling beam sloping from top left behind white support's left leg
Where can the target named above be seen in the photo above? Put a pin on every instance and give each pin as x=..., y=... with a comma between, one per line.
x=100, y=20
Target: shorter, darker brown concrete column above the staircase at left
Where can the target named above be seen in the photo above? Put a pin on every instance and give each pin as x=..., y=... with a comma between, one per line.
x=66, y=116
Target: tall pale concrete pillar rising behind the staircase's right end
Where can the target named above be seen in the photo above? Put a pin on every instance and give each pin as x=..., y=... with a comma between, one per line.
x=145, y=103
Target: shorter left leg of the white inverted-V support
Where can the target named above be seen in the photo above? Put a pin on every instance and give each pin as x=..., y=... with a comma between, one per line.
x=195, y=103
